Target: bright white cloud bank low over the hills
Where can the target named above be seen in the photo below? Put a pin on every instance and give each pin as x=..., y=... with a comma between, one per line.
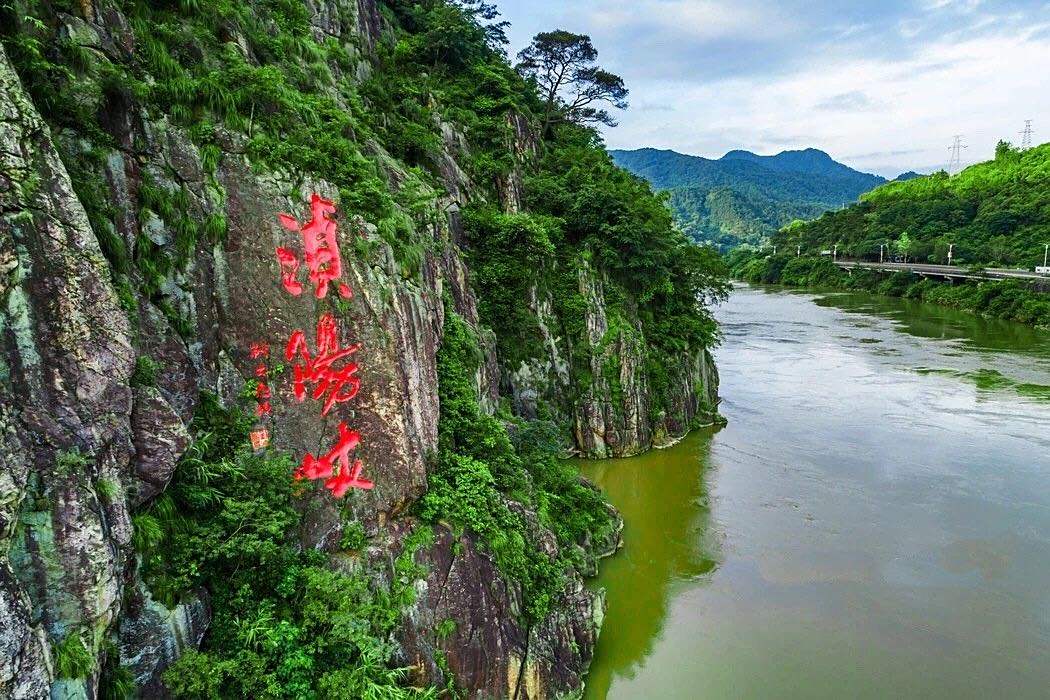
x=983, y=89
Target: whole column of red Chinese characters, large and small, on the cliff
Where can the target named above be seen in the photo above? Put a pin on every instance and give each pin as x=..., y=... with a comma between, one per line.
x=327, y=373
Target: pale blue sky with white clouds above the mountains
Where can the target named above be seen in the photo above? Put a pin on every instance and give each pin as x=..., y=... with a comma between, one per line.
x=883, y=86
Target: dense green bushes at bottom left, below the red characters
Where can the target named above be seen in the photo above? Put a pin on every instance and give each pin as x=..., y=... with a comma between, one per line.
x=284, y=623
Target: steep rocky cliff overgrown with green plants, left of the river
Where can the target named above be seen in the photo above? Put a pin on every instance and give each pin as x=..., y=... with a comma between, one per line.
x=516, y=295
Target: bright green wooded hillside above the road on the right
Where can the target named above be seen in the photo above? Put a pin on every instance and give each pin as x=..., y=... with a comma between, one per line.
x=995, y=215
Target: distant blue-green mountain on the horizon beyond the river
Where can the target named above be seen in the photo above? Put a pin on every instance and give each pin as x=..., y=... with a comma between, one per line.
x=744, y=199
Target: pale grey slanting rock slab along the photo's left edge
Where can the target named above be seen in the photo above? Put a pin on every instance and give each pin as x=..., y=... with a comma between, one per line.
x=68, y=359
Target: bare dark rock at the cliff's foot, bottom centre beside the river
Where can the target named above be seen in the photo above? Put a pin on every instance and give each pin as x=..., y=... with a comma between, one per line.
x=469, y=617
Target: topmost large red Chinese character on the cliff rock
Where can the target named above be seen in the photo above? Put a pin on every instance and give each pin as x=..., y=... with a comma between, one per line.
x=321, y=249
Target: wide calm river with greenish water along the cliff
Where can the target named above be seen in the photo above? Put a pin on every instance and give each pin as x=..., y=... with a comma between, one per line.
x=874, y=521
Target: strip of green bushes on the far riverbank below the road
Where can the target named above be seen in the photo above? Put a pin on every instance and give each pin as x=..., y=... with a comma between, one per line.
x=1006, y=300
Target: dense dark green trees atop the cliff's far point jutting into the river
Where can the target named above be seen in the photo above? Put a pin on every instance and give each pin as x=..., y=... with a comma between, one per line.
x=587, y=216
